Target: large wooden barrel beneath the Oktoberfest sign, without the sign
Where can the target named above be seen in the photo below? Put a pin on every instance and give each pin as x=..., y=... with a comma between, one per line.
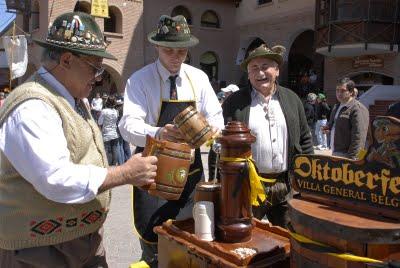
x=347, y=231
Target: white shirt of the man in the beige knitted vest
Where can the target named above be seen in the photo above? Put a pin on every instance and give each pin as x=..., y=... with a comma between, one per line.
x=33, y=140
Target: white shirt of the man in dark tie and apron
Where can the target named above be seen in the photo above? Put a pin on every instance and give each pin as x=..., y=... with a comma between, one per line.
x=145, y=89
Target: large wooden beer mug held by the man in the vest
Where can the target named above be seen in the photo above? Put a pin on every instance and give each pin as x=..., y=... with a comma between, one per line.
x=172, y=167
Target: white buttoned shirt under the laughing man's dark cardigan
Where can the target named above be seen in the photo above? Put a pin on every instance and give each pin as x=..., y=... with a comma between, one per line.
x=267, y=122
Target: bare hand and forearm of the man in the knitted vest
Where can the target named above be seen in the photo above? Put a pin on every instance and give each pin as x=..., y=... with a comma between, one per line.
x=137, y=171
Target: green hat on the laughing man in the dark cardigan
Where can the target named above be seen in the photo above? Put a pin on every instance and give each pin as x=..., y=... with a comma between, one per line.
x=275, y=53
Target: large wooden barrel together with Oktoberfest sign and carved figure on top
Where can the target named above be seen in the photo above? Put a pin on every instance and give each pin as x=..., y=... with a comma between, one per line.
x=348, y=206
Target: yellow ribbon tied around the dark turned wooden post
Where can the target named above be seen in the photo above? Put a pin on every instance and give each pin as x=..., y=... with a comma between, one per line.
x=256, y=187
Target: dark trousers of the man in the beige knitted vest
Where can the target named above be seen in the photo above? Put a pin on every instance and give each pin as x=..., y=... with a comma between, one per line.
x=84, y=252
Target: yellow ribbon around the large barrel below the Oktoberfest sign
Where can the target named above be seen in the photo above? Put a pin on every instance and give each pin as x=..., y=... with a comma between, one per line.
x=343, y=256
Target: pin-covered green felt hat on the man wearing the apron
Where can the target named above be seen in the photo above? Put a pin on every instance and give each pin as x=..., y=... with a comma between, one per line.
x=172, y=32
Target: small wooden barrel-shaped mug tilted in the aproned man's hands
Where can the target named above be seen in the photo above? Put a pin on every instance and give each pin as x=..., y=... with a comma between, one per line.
x=194, y=126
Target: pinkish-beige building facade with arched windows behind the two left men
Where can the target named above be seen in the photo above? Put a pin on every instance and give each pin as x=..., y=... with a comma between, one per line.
x=127, y=28
